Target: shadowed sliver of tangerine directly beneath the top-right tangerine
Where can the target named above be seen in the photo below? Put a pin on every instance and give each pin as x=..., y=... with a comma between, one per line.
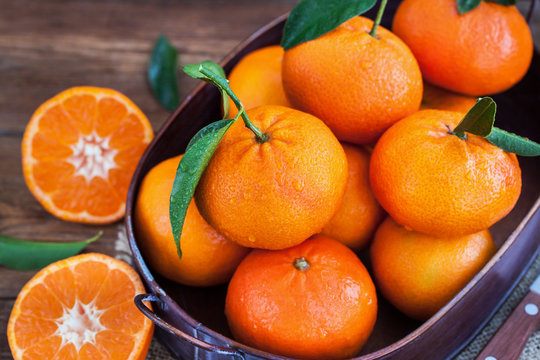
x=440, y=99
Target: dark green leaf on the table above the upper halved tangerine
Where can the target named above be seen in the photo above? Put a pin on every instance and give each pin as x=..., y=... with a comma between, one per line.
x=162, y=73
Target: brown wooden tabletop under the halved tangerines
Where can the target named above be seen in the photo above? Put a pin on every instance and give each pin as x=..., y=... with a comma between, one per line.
x=47, y=46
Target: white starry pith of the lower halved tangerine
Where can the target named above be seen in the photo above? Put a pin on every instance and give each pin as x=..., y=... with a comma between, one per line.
x=79, y=325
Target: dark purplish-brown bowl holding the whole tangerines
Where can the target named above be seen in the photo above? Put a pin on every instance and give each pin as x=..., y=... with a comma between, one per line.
x=190, y=321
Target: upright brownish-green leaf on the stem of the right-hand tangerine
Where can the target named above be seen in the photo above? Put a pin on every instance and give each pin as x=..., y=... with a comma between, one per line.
x=479, y=120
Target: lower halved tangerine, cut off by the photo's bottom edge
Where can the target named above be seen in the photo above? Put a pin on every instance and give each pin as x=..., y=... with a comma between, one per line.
x=51, y=320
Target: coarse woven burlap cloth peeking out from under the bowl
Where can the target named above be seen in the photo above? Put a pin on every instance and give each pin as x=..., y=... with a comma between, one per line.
x=531, y=350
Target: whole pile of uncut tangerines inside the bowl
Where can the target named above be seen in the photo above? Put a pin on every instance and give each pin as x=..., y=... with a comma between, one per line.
x=344, y=144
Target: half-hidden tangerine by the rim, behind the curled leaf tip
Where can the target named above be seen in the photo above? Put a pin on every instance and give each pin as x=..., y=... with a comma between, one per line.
x=256, y=79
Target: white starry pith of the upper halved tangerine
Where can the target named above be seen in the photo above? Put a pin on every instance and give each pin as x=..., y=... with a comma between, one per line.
x=92, y=156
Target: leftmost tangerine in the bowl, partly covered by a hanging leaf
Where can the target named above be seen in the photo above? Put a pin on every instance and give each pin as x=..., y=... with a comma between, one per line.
x=208, y=258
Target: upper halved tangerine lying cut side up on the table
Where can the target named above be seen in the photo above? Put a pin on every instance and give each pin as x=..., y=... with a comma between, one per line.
x=79, y=151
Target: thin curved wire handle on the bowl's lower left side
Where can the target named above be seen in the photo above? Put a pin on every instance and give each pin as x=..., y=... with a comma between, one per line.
x=140, y=298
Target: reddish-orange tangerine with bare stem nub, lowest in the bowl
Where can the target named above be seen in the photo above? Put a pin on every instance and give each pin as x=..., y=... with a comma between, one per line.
x=325, y=312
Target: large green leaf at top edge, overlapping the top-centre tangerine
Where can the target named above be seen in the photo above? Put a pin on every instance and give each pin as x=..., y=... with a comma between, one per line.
x=313, y=18
